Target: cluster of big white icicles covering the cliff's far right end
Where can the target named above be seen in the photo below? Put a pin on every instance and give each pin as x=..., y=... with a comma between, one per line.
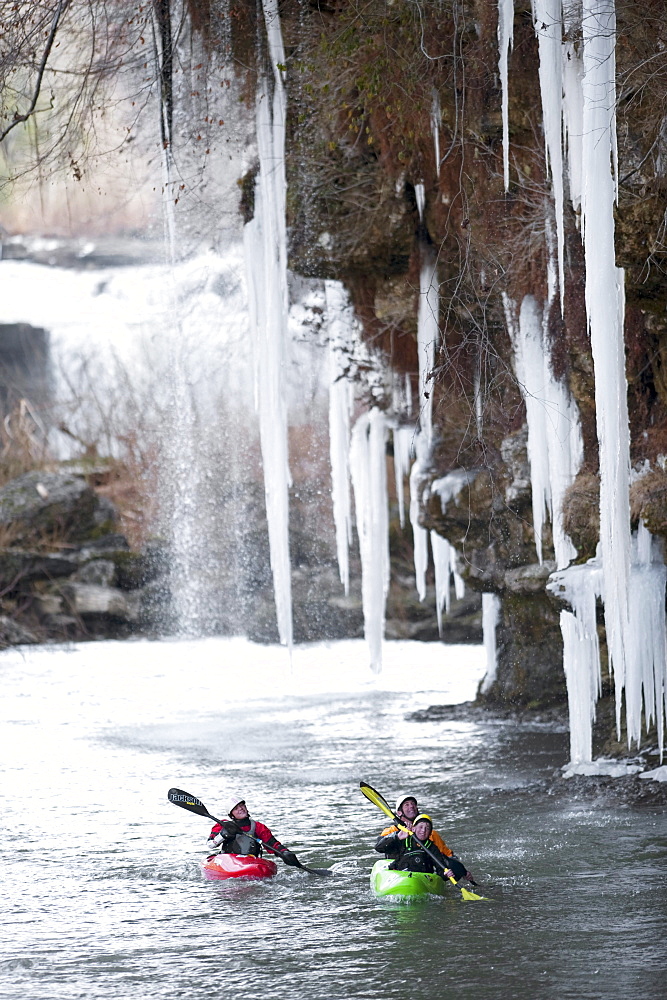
x=578, y=87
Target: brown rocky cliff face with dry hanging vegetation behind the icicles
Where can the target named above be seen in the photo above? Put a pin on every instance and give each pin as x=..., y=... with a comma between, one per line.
x=391, y=97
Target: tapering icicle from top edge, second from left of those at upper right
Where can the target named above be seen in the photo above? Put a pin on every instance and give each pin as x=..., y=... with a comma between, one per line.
x=548, y=28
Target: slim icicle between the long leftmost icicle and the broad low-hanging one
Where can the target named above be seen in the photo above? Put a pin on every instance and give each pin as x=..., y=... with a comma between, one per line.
x=339, y=313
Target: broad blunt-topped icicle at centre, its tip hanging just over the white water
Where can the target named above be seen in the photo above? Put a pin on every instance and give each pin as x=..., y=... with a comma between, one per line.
x=369, y=478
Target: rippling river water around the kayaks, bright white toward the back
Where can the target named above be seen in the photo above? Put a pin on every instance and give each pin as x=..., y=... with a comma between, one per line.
x=102, y=893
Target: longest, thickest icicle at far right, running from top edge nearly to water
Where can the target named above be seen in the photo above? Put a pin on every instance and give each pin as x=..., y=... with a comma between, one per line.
x=605, y=307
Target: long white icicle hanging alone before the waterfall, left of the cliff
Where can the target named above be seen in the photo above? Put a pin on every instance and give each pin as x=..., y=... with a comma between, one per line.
x=266, y=267
